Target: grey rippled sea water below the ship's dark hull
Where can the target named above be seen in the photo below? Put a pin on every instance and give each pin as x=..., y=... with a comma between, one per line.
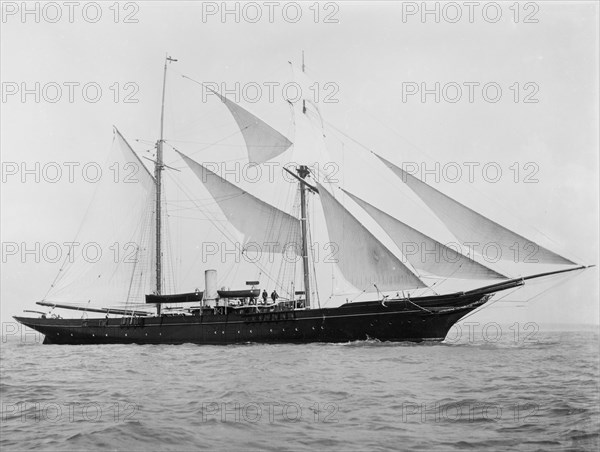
x=527, y=392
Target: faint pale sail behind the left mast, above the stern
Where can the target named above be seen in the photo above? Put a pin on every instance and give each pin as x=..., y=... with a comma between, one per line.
x=111, y=258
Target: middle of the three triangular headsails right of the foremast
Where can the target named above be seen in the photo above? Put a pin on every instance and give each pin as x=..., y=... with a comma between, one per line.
x=425, y=253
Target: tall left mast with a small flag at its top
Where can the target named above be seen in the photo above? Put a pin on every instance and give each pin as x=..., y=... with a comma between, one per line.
x=158, y=167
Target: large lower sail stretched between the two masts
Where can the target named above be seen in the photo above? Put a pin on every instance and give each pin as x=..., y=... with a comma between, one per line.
x=263, y=225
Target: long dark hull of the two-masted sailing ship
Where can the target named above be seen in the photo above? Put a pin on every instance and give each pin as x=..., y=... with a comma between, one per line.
x=396, y=320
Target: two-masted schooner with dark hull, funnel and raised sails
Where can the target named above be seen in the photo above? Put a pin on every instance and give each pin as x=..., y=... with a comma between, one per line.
x=403, y=307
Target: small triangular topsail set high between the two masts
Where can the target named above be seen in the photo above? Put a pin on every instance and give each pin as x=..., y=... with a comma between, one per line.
x=263, y=142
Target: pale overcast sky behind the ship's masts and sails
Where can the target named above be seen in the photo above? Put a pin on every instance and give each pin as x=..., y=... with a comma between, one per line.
x=372, y=62
